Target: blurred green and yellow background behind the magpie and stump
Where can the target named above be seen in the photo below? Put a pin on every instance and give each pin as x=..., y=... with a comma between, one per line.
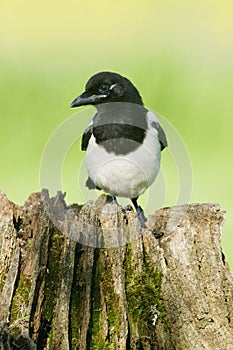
x=178, y=53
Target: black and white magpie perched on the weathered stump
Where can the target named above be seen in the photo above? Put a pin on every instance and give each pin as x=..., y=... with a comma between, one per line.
x=123, y=141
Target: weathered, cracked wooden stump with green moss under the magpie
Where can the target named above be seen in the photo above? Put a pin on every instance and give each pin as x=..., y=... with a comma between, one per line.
x=81, y=277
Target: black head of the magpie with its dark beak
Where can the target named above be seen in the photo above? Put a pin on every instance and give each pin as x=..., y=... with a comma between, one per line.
x=106, y=87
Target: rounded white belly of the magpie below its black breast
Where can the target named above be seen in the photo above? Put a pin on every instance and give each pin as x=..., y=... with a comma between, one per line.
x=124, y=175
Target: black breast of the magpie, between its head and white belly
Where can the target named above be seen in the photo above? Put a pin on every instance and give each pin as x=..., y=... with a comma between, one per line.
x=120, y=127
